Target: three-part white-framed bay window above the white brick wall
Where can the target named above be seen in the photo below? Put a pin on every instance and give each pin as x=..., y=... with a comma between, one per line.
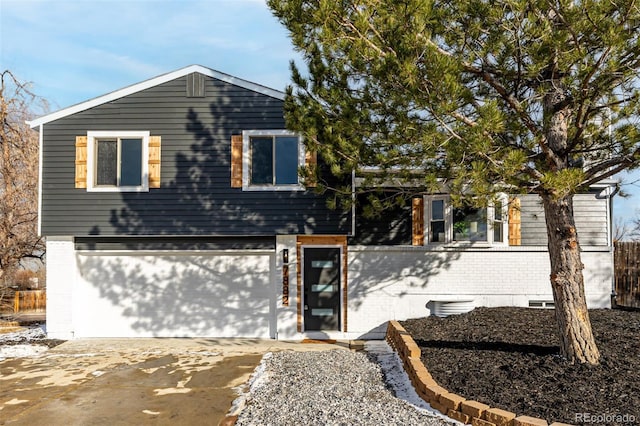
x=449, y=224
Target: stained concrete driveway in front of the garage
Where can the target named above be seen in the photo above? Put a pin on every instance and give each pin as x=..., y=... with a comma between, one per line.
x=132, y=381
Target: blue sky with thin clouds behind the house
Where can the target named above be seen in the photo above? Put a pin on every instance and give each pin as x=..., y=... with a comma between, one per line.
x=75, y=50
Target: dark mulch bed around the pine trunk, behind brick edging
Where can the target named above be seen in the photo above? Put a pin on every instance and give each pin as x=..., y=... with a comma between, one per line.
x=509, y=358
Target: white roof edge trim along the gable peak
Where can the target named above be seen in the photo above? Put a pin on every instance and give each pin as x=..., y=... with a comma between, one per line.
x=152, y=83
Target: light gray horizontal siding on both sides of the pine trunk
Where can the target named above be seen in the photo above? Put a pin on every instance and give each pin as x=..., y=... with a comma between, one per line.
x=590, y=214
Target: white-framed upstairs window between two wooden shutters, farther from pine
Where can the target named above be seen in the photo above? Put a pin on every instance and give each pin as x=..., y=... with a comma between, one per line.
x=117, y=161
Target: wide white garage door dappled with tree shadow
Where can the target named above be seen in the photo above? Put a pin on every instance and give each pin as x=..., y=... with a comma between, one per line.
x=166, y=295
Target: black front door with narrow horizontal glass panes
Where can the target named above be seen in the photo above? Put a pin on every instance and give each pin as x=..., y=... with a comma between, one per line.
x=321, y=288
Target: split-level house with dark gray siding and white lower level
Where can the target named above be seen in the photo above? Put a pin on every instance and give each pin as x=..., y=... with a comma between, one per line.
x=173, y=207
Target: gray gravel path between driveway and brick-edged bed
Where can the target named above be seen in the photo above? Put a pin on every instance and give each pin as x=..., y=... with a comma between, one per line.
x=337, y=387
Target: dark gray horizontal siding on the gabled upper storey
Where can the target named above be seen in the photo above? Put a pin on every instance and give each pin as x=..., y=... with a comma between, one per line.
x=195, y=198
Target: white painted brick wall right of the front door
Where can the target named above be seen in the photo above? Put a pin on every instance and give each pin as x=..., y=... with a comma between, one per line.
x=402, y=282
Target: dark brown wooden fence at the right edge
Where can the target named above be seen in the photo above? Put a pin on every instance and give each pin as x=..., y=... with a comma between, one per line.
x=627, y=274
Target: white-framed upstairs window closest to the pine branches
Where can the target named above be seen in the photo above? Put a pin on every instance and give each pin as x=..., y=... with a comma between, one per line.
x=271, y=159
